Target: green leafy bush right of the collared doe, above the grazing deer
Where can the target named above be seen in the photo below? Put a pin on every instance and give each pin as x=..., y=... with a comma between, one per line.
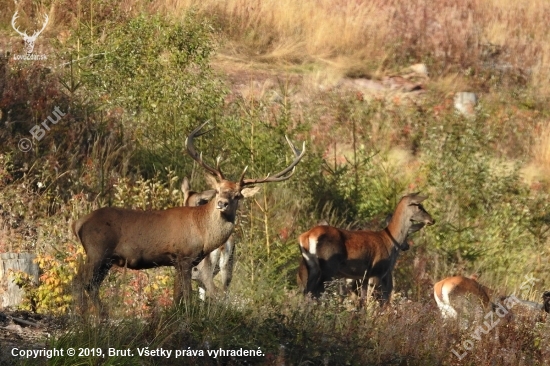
x=480, y=203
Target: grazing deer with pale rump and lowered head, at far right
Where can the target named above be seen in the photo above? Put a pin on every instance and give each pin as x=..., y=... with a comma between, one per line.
x=458, y=293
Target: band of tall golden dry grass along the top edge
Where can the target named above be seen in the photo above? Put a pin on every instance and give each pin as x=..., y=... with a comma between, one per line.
x=507, y=37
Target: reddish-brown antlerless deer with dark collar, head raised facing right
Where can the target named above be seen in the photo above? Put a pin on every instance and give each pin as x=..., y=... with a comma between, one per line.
x=366, y=255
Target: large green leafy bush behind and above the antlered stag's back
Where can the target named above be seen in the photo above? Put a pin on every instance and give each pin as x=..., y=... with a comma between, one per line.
x=157, y=72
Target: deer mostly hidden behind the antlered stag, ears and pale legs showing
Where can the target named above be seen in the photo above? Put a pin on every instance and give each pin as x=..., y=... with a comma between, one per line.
x=220, y=260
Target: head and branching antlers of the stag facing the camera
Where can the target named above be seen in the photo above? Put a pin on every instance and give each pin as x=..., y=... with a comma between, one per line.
x=228, y=193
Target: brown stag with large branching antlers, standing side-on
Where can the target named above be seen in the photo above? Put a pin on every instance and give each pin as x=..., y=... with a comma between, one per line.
x=179, y=236
